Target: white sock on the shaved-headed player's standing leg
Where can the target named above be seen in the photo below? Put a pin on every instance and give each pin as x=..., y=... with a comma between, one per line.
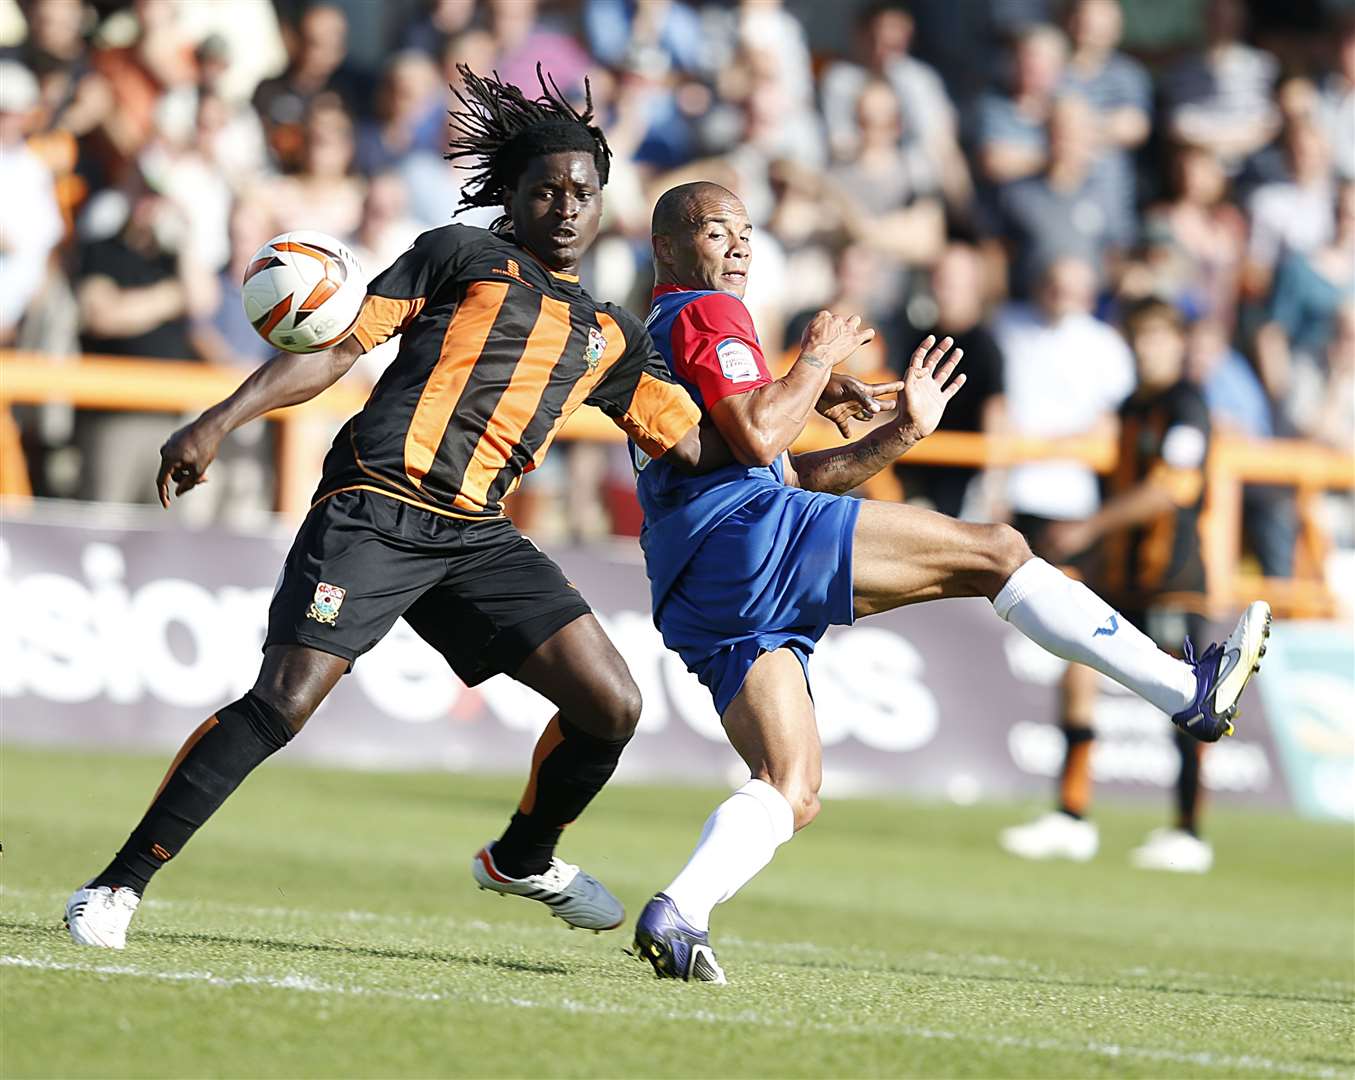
x=739, y=841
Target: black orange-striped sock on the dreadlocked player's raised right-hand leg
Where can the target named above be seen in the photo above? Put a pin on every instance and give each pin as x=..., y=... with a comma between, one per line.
x=568, y=769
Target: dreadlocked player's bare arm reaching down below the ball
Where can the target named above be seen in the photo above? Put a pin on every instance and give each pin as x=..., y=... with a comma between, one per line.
x=289, y=379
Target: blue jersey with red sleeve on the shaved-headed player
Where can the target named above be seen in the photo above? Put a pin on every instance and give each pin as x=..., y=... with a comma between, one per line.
x=711, y=348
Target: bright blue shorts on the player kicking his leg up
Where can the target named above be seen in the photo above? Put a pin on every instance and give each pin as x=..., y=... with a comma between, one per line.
x=776, y=574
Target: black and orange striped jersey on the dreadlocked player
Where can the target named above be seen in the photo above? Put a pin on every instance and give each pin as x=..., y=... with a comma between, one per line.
x=497, y=352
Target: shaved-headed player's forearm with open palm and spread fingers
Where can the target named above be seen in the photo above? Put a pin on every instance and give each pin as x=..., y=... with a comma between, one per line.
x=927, y=390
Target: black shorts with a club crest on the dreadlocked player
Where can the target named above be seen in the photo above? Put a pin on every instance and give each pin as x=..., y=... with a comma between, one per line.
x=480, y=593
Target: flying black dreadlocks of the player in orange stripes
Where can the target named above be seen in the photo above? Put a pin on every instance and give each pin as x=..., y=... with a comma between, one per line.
x=502, y=131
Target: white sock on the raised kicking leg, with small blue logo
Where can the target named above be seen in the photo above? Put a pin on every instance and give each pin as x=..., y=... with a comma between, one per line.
x=1064, y=617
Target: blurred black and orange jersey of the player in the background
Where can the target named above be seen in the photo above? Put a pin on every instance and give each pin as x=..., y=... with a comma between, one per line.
x=1165, y=438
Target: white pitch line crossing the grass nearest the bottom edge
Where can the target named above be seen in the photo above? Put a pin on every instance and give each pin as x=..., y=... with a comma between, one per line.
x=306, y=984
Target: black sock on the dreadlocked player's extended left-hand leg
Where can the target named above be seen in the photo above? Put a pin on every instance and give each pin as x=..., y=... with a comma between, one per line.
x=217, y=757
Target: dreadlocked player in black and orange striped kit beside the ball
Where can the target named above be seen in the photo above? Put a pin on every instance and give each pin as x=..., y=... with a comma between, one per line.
x=499, y=346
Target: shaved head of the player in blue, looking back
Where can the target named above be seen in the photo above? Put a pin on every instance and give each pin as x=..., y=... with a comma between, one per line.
x=701, y=235
